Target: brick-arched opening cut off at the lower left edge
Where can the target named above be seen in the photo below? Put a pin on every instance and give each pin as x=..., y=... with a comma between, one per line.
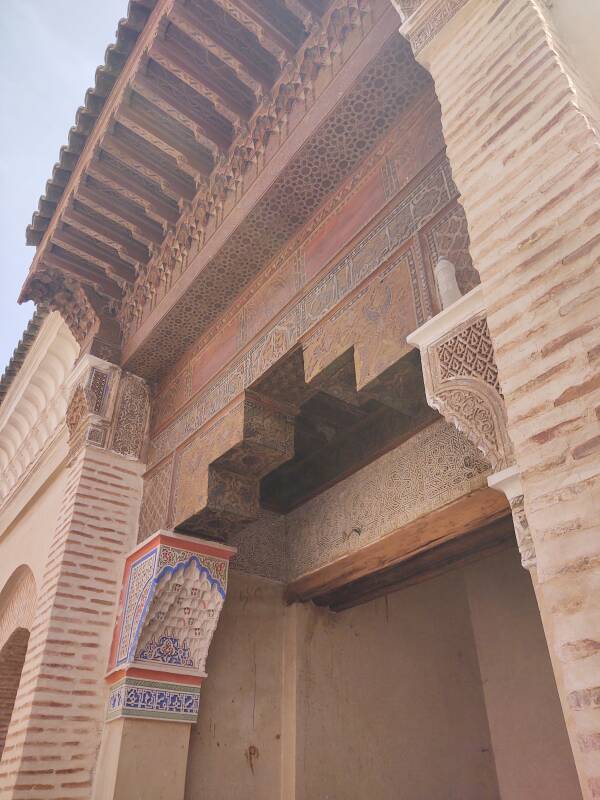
x=17, y=604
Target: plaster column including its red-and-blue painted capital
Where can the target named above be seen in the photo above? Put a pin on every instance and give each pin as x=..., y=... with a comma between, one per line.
x=173, y=591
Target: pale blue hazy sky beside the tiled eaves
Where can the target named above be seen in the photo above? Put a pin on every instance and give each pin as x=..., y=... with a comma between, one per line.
x=49, y=51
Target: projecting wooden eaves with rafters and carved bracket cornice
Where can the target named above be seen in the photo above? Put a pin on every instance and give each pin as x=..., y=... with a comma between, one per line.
x=183, y=107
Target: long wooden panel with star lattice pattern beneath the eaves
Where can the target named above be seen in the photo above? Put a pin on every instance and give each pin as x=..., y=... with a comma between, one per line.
x=387, y=87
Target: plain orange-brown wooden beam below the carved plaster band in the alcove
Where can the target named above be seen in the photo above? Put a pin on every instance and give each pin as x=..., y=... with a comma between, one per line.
x=457, y=518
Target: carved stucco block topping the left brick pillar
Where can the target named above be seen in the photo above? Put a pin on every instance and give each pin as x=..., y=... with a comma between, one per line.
x=108, y=408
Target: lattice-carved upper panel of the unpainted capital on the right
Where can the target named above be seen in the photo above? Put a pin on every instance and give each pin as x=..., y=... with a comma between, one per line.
x=469, y=353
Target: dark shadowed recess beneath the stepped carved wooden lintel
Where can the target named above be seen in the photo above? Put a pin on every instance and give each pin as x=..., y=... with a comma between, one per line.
x=338, y=429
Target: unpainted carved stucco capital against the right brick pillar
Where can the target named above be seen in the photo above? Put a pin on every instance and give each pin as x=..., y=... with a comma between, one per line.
x=461, y=376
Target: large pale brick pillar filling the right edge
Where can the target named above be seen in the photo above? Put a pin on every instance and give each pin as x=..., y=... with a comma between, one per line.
x=519, y=127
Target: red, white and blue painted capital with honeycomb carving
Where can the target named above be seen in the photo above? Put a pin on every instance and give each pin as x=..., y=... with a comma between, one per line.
x=173, y=591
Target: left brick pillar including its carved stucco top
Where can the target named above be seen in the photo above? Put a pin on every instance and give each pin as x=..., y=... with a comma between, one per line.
x=54, y=735
